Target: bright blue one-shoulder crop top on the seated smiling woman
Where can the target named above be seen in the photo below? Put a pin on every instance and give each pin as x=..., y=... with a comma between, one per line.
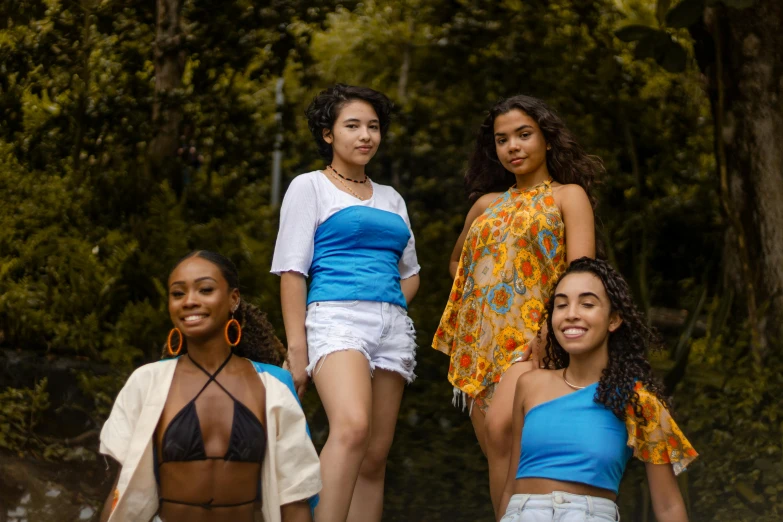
x=574, y=439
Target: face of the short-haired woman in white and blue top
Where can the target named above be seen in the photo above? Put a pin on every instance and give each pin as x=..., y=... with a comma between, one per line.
x=355, y=135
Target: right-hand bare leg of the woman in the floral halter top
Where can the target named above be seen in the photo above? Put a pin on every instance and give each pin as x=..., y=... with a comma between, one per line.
x=498, y=425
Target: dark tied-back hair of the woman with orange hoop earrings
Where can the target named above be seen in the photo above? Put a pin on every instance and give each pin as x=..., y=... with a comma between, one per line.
x=259, y=342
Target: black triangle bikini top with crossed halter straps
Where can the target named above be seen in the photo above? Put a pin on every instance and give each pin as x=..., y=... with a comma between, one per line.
x=183, y=440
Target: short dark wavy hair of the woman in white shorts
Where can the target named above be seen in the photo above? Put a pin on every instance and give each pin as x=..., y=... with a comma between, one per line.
x=324, y=109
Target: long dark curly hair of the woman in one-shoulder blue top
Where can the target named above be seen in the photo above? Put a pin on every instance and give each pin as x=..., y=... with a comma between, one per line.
x=628, y=345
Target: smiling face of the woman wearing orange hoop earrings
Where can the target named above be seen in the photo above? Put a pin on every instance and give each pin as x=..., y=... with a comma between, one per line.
x=200, y=301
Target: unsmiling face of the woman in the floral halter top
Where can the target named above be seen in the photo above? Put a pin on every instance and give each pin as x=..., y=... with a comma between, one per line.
x=520, y=145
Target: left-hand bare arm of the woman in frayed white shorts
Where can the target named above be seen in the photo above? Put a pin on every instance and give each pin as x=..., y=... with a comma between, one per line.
x=293, y=299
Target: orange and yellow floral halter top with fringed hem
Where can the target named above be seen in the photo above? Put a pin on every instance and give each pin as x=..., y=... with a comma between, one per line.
x=512, y=255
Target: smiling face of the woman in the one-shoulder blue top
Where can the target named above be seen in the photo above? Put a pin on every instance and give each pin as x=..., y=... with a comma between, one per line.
x=582, y=317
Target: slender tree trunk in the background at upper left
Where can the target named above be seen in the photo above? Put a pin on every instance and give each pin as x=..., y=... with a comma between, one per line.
x=169, y=67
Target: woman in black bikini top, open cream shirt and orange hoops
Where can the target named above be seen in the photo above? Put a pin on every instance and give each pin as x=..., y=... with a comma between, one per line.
x=214, y=432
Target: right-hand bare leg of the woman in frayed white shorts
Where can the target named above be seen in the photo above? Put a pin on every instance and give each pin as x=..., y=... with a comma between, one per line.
x=367, y=503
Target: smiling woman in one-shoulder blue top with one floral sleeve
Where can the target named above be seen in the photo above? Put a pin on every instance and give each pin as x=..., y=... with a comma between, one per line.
x=580, y=422
